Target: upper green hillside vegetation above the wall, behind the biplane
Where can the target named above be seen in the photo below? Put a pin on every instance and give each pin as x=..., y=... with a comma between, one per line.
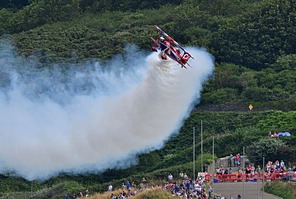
x=254, y=60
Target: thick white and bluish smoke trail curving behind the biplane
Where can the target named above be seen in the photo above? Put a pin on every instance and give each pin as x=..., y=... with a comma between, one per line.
x=79, y=121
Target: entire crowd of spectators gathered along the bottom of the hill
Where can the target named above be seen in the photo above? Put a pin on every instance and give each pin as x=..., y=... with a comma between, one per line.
x=184, y=187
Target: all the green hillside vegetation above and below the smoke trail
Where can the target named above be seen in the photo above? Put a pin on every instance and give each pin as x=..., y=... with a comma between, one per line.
x=253, y=42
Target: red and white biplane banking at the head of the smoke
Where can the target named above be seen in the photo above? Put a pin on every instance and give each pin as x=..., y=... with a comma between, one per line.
x=170, y=48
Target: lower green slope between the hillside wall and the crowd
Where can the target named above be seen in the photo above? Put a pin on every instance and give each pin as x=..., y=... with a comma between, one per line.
x=176, y=156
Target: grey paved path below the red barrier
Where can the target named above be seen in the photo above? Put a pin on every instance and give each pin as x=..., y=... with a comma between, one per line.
x=247, y=190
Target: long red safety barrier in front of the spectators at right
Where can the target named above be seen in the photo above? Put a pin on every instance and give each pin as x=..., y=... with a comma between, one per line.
x=244, y=177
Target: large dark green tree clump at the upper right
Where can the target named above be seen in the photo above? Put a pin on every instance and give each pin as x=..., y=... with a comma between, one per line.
x=258, y=36
